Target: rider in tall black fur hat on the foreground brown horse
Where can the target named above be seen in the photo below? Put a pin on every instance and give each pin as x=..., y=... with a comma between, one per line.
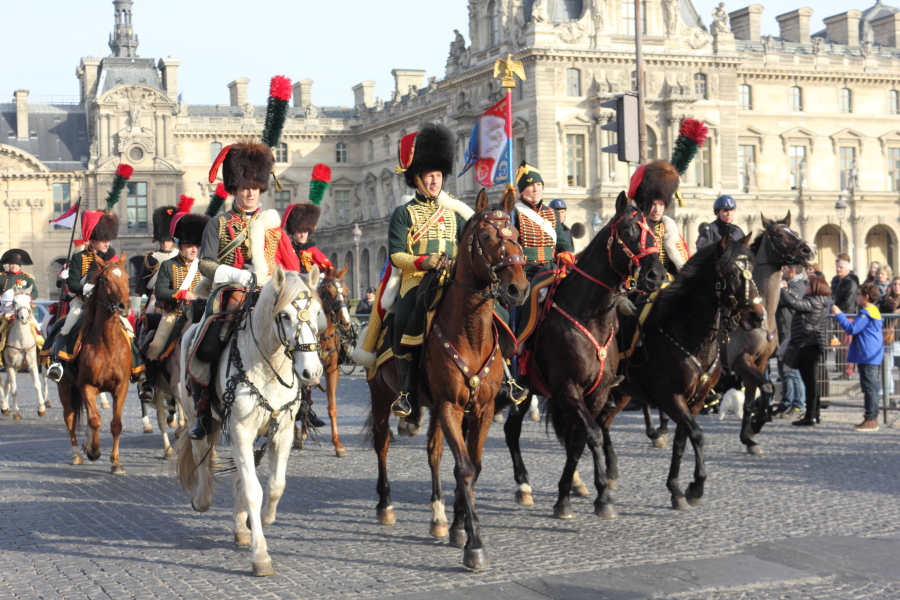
x=421, y=234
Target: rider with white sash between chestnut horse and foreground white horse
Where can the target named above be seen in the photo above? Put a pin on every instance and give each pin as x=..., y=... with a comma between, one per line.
x=176, y=279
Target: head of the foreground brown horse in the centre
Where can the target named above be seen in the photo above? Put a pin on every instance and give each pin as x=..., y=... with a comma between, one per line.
x=495, y=255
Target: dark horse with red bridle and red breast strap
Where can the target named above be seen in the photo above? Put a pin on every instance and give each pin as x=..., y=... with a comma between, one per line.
x=572, y=350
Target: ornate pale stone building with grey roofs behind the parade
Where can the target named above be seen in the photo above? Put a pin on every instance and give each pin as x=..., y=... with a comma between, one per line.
x=797, y=122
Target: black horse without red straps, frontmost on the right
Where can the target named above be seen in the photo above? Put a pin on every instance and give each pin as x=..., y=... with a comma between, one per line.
x=678, y=361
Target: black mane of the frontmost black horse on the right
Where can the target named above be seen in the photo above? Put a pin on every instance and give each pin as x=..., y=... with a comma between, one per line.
x=669, y=306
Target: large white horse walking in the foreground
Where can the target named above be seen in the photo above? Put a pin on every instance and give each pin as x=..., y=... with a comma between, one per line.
x=270, y=358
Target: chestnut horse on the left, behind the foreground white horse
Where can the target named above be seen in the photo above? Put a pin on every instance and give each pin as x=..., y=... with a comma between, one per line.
x=102, y=365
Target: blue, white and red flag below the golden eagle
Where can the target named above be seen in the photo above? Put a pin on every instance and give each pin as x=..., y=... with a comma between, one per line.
x=489, y=146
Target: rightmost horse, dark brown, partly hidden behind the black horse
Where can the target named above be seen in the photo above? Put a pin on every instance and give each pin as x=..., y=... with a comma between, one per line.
x=747, y=352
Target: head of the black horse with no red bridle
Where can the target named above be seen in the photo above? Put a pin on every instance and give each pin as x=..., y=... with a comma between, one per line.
x=734, y=283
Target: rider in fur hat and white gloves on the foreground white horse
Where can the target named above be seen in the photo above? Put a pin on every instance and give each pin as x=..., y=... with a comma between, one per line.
x=242, y=241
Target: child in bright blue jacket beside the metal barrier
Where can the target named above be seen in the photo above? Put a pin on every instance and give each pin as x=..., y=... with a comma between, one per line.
x=866, y=349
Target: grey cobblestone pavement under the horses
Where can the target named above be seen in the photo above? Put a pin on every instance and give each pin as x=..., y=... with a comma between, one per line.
x=78, y=532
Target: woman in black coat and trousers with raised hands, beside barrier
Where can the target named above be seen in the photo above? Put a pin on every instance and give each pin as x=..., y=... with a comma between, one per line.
x=808, y=342
